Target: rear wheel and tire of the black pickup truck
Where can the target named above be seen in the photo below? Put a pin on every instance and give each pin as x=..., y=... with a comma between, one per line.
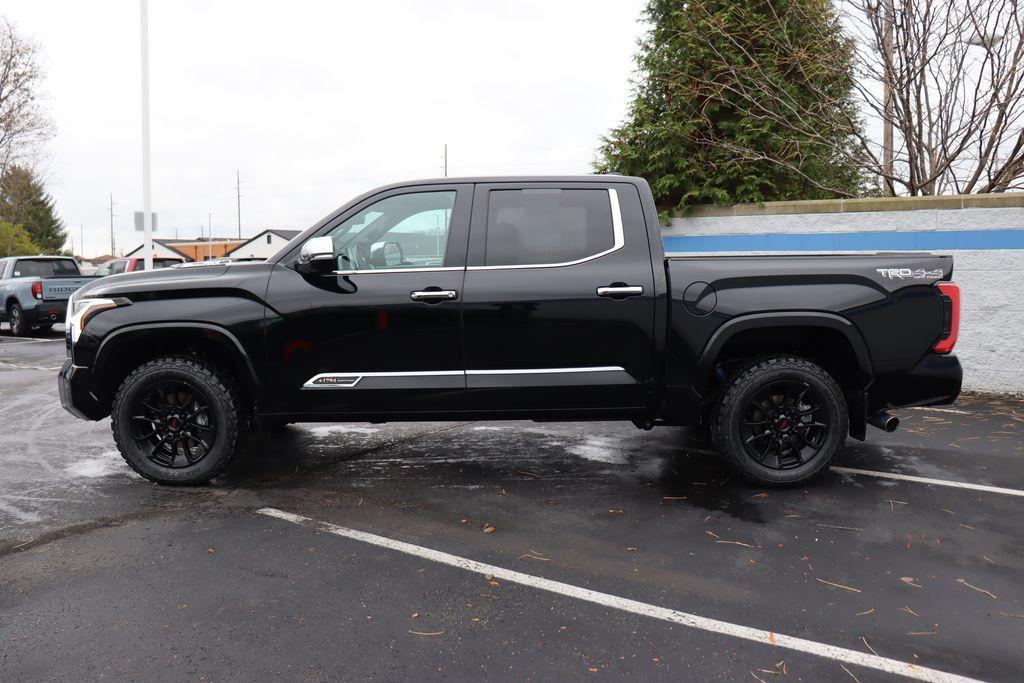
x=781, y=421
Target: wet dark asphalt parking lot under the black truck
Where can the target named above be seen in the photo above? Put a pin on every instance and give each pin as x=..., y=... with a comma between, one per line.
x=507, y=551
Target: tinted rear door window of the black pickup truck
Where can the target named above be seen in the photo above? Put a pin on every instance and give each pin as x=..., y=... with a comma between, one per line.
x=547, y=227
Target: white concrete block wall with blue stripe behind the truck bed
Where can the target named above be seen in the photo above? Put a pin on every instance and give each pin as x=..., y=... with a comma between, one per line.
x=987, y=242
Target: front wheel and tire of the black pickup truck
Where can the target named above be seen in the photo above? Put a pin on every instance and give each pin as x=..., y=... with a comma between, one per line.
x=176, y=420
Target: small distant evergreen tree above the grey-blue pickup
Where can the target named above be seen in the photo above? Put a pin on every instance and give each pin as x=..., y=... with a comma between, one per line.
x=25, y=202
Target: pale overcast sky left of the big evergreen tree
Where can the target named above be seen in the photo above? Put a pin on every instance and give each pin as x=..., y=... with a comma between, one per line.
x=316, y=102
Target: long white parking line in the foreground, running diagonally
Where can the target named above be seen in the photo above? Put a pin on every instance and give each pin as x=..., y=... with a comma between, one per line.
x=625, y=605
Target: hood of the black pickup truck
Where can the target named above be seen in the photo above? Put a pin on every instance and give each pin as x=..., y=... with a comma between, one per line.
x=176, y=281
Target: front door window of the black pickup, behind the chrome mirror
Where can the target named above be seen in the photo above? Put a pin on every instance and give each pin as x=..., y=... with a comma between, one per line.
x=401, y=232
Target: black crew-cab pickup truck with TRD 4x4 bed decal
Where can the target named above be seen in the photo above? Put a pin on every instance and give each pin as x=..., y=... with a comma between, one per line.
x=536, y=298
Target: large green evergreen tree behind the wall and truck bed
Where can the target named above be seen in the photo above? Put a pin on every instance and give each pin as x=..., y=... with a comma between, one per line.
x=741, y=101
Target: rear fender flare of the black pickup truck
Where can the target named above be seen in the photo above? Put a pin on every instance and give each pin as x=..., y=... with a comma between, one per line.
x=741, y=324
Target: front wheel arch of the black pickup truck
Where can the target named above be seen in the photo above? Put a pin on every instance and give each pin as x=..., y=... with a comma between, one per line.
x=126, y=349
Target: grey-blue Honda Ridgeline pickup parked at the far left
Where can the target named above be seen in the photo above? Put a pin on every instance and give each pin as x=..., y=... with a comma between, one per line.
x=35, y=291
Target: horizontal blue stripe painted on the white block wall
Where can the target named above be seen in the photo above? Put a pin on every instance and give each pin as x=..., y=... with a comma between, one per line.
x=881, y=241
